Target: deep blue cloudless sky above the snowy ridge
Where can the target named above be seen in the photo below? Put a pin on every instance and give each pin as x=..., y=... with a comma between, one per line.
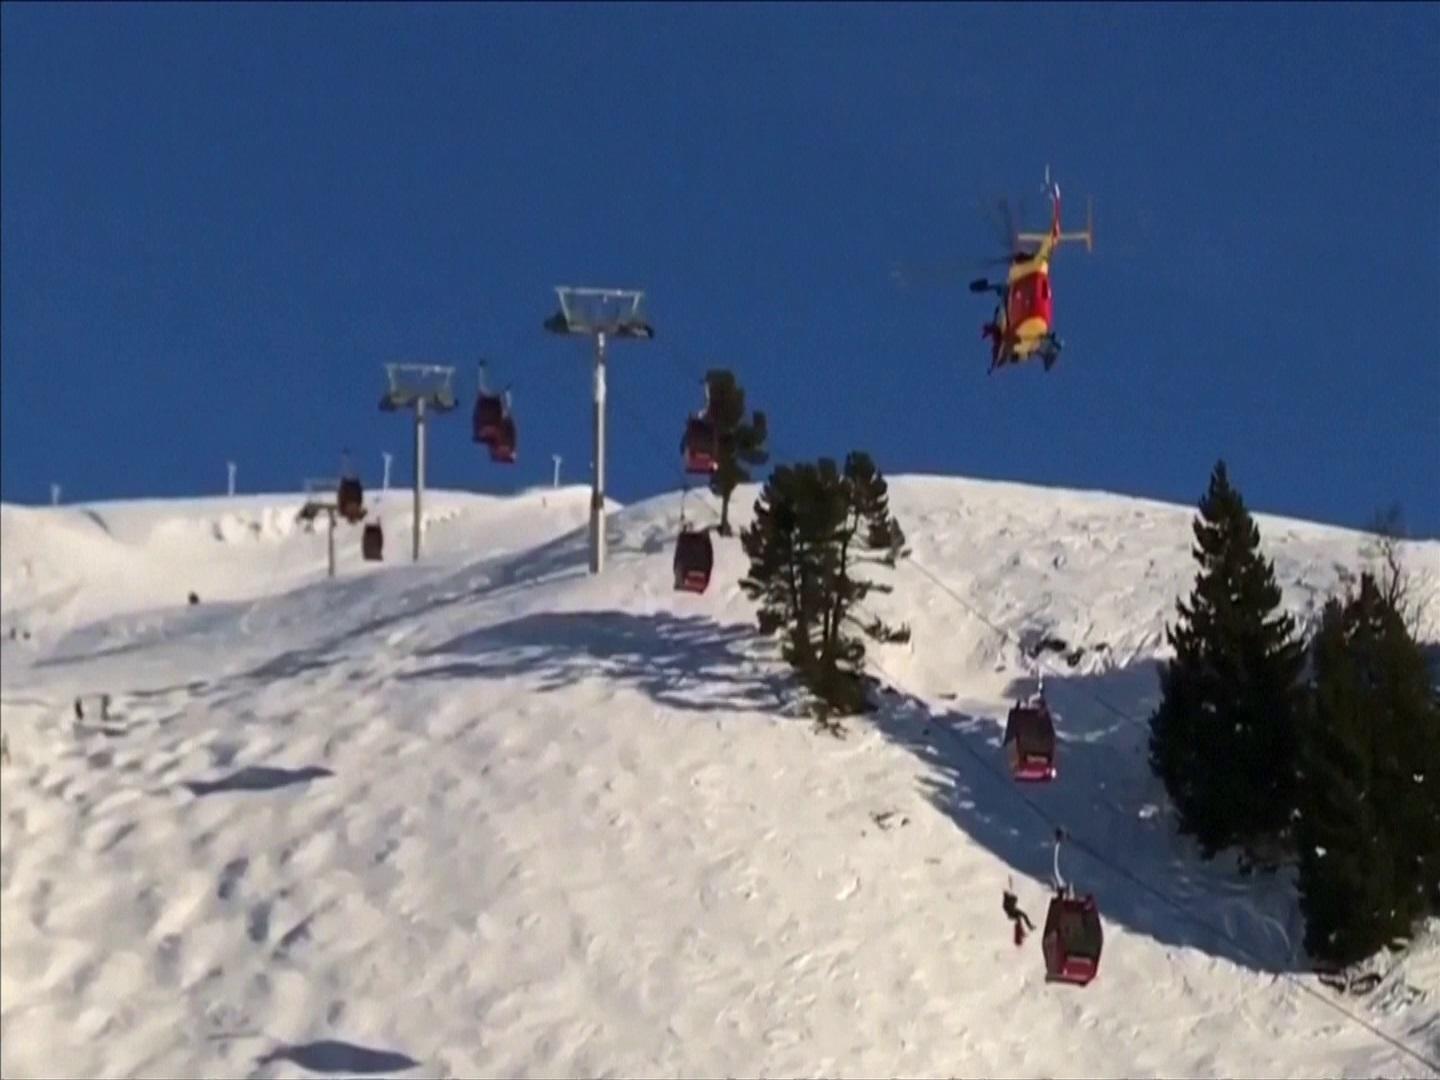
x=220, y=221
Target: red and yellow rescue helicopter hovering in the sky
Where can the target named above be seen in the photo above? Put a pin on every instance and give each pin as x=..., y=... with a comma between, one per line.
x=1023, y=325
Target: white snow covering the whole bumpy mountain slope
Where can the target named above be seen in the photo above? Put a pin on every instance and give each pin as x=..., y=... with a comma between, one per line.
x=489, y=816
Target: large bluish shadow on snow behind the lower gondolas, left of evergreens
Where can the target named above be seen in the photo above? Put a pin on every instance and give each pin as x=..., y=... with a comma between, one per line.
x=1112, y=807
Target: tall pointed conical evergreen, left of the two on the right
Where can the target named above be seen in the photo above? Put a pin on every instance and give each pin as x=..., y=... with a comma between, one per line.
x=1225, y=737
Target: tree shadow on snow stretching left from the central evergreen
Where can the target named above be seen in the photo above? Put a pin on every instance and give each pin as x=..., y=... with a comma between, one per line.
x=688, y=663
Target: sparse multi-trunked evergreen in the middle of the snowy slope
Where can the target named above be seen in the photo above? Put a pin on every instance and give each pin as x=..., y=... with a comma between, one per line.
x=814, y=528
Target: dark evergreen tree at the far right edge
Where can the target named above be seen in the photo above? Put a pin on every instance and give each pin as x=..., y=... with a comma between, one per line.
x=1370, y=784
